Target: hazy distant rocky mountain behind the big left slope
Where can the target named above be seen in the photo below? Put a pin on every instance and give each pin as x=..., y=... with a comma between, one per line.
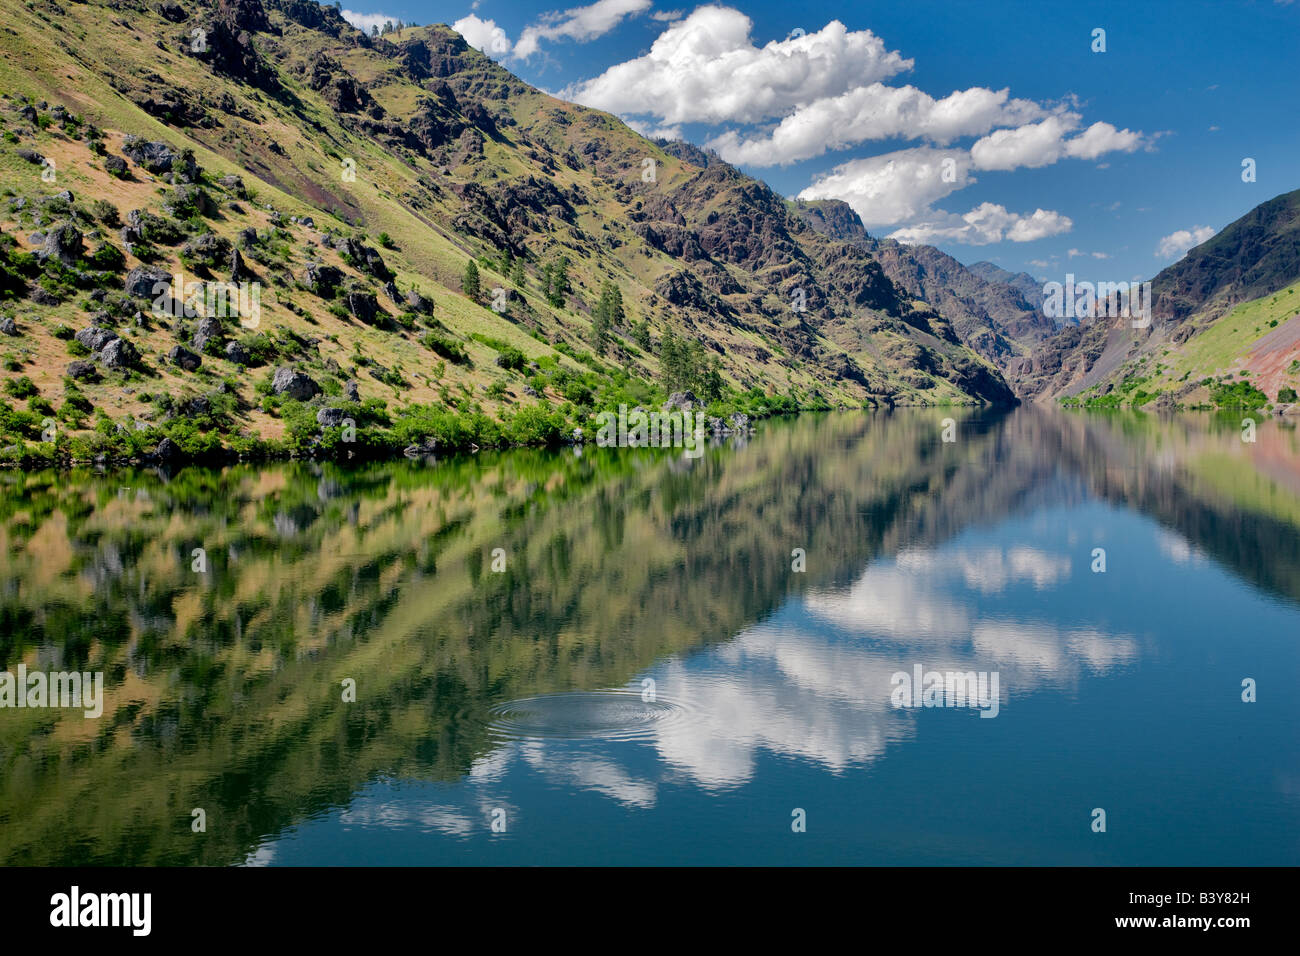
x=991, y=315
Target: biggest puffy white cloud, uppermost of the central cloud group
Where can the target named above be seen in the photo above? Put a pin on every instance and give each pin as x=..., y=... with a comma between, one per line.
x=708, y=70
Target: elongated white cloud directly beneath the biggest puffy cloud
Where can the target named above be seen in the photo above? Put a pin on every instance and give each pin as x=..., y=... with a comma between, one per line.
x=877, y=113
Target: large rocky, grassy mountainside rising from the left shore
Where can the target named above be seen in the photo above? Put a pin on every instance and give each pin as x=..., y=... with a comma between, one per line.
x=356, y=181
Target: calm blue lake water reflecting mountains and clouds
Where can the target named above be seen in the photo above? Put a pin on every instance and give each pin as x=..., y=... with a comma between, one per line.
x=522, y=697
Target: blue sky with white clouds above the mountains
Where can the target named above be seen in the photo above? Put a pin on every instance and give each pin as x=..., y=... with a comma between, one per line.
x=1102, y=140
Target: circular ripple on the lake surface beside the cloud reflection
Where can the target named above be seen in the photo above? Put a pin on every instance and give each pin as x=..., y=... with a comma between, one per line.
x=584, y=716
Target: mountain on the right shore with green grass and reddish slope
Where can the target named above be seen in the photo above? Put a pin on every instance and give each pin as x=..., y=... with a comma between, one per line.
x=1225, y=330
